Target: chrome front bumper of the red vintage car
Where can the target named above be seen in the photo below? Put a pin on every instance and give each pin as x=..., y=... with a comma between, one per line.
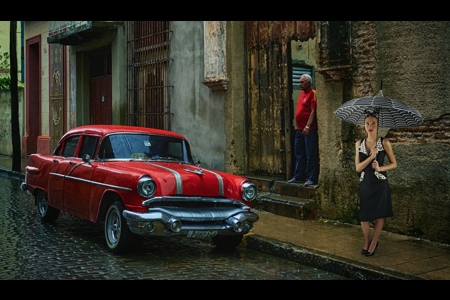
x=194, y=222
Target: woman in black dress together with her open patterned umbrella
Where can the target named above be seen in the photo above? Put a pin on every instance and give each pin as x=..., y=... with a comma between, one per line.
x=375, y=195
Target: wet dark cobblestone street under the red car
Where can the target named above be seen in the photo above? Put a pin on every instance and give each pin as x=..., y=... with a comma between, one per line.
x=73, y=248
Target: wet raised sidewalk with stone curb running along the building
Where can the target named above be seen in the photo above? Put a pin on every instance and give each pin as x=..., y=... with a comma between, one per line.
x=335, y=246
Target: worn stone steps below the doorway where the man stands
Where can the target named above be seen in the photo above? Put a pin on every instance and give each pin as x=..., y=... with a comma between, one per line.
x=292, y=200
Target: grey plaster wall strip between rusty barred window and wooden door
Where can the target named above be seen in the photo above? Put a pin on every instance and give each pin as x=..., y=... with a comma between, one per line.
x=198, y=112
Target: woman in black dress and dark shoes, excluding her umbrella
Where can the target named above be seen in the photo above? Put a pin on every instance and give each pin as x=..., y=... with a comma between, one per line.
x=375, y=195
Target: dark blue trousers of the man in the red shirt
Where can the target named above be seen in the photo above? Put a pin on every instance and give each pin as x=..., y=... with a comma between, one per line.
x=306, y=154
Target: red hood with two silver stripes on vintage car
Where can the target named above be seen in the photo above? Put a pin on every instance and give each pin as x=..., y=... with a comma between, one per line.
x=182, y=179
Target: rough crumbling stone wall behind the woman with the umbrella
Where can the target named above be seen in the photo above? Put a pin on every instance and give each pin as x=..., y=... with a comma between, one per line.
x=411, y=61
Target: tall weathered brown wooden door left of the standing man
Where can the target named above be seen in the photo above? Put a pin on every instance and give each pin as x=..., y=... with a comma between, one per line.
x=268, y=102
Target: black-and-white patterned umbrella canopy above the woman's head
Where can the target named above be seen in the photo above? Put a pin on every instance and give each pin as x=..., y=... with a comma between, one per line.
x=391, y=113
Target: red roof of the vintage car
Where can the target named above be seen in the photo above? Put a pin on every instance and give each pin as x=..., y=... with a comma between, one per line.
x=107, y=129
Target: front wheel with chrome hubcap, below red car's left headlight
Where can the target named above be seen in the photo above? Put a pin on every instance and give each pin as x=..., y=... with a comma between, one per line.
x=117, y=233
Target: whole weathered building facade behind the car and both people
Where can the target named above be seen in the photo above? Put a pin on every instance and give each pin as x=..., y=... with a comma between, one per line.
x=231, y=88
